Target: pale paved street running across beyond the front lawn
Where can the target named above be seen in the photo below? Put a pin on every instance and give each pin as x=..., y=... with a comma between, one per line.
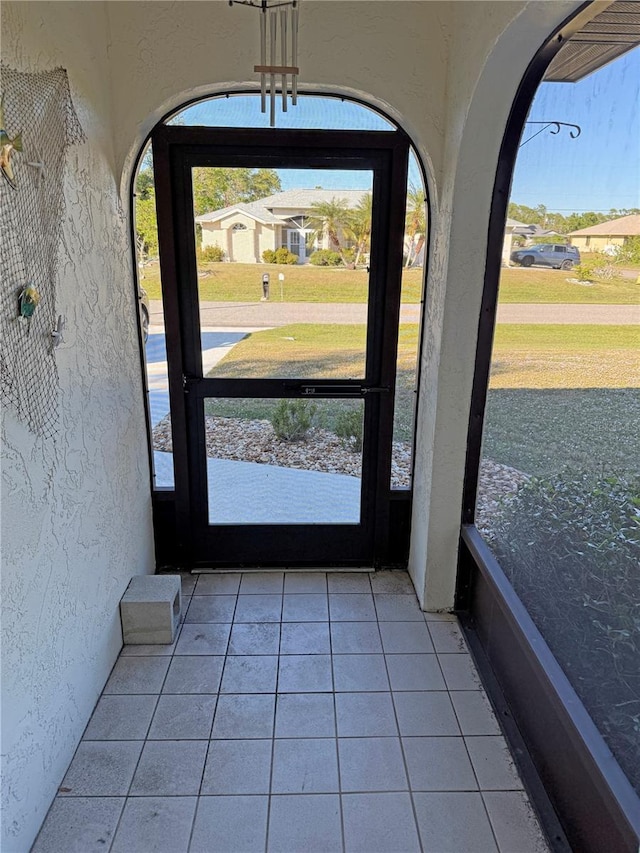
x=241, y=315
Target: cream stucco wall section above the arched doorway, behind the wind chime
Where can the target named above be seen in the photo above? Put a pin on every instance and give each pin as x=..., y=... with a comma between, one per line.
x=393, y=53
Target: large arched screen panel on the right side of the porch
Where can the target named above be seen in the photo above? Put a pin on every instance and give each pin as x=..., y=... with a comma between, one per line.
x=559, y=494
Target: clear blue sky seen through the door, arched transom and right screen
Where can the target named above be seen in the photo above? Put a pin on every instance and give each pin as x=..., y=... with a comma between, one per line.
x=599, y=170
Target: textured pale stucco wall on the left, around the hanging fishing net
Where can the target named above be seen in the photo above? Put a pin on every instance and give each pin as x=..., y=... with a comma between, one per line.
x=76, y=515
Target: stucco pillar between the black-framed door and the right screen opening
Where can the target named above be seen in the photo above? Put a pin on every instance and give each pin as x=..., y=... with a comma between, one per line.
x=491, y=47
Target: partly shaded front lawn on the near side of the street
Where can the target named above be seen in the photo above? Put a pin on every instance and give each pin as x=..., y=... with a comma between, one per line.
x=560, y=395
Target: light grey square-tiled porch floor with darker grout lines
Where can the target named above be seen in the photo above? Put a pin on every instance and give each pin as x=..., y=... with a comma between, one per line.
x=295, y=712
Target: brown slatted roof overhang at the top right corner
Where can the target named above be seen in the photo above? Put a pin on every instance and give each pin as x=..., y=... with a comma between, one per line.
x=606, y=37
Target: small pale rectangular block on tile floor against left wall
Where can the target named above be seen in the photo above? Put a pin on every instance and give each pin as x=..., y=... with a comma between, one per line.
x=150, y=609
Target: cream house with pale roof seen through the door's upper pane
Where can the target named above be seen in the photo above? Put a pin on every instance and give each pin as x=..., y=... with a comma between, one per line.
x=244, y=231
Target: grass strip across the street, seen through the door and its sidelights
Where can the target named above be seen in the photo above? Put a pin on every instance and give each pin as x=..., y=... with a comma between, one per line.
x=243, y=283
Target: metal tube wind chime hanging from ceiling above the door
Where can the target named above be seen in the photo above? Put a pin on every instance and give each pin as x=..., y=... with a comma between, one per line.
x=278, y=23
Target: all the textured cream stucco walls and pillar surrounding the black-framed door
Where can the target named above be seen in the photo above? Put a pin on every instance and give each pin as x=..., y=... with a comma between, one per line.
x=447, y=72
